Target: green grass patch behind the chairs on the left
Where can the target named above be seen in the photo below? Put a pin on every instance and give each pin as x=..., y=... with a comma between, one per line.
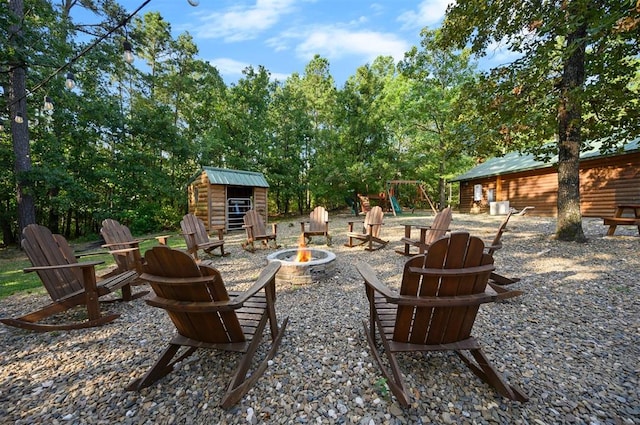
x=13, y=261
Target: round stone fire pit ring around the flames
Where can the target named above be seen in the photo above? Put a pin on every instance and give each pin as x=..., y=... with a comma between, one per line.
x=302, y=272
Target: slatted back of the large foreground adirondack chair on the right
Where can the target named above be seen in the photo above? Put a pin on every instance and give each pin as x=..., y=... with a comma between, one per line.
x=441, y=325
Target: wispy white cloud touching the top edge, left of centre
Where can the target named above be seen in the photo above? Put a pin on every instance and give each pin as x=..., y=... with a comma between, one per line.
x=240, y=23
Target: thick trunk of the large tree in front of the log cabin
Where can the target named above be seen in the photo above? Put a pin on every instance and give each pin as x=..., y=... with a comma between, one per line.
x=569, y=224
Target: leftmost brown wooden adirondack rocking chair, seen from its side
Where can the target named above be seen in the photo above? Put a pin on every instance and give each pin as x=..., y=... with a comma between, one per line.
x=68, y=282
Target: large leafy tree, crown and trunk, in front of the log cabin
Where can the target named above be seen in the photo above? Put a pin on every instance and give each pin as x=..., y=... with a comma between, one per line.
x=573, y=78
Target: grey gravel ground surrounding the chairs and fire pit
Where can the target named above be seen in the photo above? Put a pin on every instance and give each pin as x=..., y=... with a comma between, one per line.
x=572, y=342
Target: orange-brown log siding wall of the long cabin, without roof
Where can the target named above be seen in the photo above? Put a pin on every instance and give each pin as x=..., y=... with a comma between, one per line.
x=604, y=183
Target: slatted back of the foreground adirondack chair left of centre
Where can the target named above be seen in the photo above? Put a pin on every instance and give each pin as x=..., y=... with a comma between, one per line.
x=209, y=326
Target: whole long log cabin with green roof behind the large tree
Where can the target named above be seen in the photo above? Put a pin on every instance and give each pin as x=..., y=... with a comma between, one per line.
x=517, y=181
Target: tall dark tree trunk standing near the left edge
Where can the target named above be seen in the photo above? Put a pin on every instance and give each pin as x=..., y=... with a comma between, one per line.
x=17, y=100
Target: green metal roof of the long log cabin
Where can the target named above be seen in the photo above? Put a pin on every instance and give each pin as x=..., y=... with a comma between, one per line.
x=516, y=162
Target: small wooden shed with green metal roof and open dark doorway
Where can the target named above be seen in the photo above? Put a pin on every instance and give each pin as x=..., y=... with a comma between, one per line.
x=221, y=197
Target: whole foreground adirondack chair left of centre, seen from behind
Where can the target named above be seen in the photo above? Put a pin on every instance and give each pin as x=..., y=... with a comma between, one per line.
x=207, y=316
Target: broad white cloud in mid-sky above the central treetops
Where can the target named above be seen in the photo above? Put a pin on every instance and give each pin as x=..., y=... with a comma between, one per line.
x=335, y=43
